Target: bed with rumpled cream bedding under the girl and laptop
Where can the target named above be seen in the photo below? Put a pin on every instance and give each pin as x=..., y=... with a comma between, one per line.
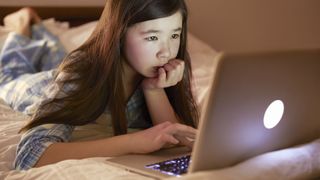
x=300, y=162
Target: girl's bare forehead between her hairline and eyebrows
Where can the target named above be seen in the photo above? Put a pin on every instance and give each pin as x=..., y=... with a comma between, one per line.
x=167, y=23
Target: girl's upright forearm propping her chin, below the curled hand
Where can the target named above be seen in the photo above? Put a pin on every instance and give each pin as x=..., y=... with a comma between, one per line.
x=159, y=106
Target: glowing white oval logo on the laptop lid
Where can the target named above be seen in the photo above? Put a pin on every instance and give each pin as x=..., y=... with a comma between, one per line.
x=273, y=114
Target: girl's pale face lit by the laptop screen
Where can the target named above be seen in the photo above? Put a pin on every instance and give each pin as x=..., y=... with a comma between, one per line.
x=151, y=44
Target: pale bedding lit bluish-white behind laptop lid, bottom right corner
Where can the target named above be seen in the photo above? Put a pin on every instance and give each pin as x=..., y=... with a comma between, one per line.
x=300, y=162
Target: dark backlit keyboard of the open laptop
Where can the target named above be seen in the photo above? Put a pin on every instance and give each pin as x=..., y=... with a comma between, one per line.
x=173, y=167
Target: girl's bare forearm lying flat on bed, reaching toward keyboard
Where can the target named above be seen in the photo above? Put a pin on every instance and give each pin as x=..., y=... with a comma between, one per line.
x=114, y=146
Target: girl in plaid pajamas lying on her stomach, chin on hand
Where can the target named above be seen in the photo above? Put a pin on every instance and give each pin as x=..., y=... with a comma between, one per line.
x=134, y=66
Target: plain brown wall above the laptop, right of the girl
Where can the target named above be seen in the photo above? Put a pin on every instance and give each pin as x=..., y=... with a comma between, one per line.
x=248, y=25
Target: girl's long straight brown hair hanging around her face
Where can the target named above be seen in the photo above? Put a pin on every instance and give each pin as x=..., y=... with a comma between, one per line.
x=96, y=71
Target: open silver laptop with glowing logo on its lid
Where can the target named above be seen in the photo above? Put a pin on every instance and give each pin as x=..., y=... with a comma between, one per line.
x=258, y=102
